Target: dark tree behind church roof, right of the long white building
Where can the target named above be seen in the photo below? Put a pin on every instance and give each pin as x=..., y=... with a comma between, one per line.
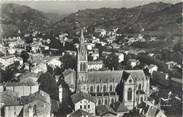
x=112, y=61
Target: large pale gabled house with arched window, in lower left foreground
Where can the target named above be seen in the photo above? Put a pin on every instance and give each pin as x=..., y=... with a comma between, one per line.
x=40, y=104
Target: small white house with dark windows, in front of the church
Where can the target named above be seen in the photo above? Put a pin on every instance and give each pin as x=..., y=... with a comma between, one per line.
x=83, y=101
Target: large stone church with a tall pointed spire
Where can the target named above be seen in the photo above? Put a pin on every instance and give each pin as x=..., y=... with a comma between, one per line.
x=102, y=84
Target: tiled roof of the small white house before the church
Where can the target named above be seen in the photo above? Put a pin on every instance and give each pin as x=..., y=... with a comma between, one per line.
x=81, y=95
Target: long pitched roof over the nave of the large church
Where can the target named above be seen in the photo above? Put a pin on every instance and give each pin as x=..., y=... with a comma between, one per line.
x=115, y=76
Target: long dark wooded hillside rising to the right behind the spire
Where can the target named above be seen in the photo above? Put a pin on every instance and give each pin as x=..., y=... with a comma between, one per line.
x=152, y=17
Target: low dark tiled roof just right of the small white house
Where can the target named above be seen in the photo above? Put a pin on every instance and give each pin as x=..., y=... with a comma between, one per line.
x=101, y=110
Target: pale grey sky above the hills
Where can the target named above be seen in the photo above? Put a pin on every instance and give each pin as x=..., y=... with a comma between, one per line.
x=70, y=6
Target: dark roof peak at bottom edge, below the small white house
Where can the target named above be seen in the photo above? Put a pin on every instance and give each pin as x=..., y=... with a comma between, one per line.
x=80, y=113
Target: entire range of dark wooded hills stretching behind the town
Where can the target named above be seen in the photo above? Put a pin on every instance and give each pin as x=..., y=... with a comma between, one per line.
x=154, y=17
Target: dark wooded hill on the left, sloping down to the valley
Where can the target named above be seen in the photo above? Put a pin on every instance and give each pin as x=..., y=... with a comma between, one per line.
x=16, y=17
